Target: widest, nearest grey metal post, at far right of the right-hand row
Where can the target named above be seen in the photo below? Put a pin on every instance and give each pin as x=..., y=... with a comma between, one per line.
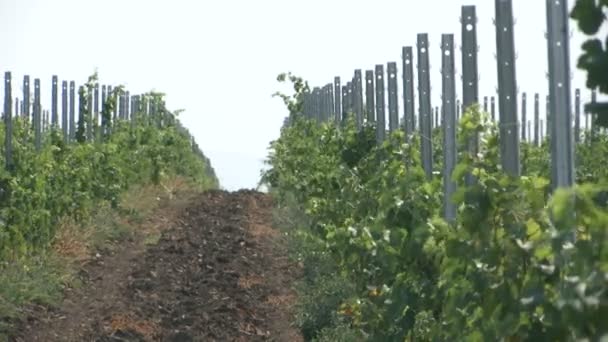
x=558, y=42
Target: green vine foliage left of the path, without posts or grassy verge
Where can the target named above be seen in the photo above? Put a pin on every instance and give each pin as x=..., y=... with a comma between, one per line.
x=70, y=180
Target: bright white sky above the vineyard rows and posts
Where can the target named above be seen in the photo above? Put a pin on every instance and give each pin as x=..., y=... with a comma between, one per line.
x=219, y=59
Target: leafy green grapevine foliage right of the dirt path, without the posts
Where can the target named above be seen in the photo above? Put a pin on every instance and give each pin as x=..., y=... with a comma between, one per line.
x=514, y=265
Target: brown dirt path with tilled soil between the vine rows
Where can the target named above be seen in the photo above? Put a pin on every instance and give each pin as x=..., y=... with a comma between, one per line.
x=218, y=273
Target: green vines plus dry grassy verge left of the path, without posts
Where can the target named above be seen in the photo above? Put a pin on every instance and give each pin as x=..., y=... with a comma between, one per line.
x=64, y=202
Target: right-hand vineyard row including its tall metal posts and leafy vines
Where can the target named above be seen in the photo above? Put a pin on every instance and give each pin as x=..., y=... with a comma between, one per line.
x=452, y=230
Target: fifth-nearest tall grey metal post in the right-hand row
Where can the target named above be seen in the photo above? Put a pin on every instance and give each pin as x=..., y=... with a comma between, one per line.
x=424, y=94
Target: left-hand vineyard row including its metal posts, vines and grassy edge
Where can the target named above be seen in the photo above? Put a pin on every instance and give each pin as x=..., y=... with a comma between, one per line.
x=70, y=173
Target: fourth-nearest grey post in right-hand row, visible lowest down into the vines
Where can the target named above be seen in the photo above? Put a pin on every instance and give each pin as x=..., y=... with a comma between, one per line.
x=449, y=124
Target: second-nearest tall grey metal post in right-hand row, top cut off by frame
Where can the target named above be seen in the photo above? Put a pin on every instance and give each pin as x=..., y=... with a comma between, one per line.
x=507, y=85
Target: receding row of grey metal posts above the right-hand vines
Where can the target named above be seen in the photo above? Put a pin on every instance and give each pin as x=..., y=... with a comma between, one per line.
x=335, y=101
